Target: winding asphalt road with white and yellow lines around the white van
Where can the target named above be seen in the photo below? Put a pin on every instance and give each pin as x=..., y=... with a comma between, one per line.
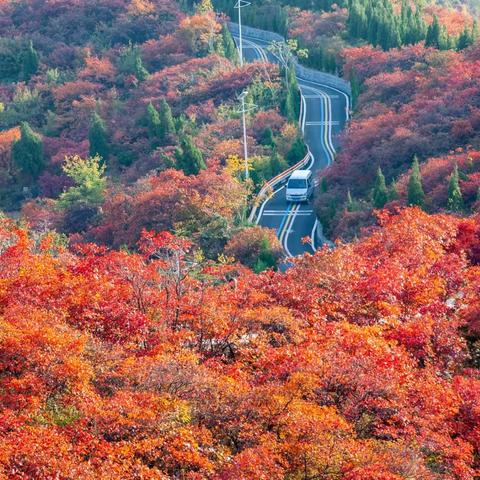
x=324, y=115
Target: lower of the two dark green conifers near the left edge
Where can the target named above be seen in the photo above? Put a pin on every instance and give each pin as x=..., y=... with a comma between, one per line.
x=27, y=153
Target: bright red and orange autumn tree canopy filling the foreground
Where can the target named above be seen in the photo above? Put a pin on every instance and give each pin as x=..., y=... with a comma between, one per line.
x=159, y=364
